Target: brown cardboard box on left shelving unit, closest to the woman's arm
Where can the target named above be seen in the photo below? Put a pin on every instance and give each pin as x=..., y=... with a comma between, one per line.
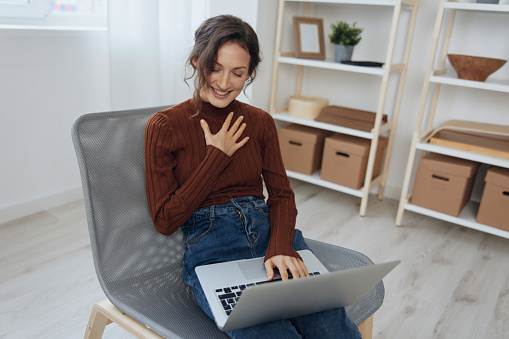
x=301, y=147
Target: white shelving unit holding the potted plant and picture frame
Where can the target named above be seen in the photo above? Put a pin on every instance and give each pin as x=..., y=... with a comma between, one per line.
x=379, y=74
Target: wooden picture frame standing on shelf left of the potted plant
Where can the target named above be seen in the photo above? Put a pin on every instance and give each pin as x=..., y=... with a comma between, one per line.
x=309, y=38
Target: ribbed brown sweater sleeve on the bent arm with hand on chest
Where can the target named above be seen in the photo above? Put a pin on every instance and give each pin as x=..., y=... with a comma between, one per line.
x=170, y=205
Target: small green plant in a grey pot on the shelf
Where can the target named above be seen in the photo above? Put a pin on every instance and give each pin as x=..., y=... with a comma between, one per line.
x=344, y=36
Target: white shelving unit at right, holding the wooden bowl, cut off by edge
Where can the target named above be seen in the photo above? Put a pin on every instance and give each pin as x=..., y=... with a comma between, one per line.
x=439, y=77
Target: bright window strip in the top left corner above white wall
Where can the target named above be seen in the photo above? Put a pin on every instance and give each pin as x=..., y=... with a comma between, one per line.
x=53, y=14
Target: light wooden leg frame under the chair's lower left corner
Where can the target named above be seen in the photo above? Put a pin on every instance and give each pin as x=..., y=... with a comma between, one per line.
x=104, y=313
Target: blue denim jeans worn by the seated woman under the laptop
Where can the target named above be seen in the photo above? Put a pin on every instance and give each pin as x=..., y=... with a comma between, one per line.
x=241, y=230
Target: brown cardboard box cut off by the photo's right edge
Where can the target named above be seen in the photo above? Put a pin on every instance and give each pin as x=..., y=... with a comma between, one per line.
x=494, y=208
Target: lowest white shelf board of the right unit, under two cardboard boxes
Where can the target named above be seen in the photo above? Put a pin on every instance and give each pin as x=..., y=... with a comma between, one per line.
x=466, y=218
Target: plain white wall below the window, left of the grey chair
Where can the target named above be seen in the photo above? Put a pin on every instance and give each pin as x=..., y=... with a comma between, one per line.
x=47, y=79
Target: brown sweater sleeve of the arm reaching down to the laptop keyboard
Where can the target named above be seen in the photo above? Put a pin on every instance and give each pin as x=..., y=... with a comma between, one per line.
x=283, y=212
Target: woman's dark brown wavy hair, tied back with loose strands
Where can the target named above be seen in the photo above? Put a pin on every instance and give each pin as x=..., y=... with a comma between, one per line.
x=211, y=35
